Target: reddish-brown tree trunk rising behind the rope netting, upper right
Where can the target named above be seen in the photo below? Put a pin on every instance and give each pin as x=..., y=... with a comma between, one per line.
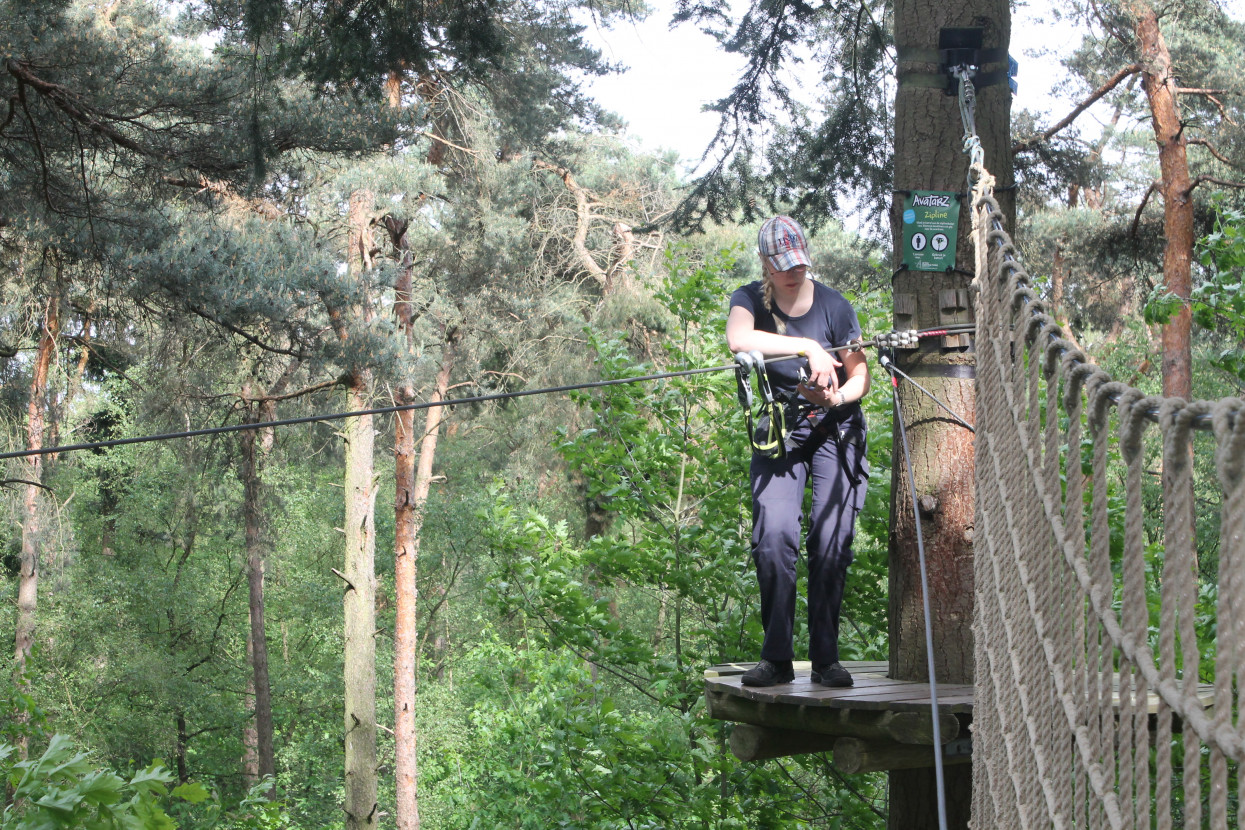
x=1178, y=230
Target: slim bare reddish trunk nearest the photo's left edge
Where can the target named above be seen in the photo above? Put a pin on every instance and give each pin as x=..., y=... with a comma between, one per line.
x=32, y=529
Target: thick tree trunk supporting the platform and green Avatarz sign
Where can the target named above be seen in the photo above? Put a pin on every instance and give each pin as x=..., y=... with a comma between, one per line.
x=929, y=139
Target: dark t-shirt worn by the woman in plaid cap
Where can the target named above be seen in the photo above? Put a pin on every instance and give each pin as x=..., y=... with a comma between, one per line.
x=831, y=322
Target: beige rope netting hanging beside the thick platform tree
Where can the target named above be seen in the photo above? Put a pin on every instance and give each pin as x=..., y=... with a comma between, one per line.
x=1110, y=660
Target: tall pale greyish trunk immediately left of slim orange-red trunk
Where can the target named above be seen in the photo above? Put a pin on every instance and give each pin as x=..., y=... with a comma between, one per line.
x=360, y=571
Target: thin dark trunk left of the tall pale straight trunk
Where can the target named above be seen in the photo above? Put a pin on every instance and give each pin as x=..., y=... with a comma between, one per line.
x=257, y=641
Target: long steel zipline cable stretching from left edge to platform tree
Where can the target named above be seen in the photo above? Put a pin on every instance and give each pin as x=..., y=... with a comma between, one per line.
x=454, y=403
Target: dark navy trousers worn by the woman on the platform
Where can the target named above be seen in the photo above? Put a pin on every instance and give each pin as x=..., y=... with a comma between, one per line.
x=836, y=467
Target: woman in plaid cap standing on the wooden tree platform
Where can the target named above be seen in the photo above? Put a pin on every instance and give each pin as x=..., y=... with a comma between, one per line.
x=787, y=313
